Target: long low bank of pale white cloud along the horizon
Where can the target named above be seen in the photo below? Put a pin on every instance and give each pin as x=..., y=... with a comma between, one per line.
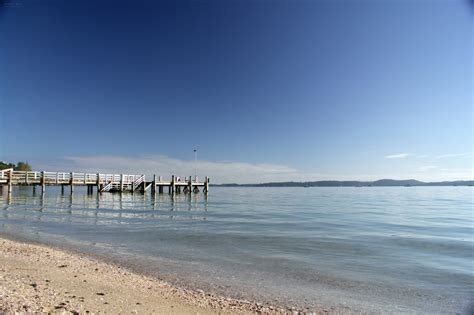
x=234, y=172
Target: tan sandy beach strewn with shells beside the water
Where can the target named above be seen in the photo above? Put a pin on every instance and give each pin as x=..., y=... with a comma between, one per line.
x=36, y=278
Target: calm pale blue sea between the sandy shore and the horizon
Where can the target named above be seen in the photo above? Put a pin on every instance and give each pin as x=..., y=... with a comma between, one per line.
x=369, y=250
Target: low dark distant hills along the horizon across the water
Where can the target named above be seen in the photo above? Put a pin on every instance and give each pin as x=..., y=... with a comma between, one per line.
x=336, y=183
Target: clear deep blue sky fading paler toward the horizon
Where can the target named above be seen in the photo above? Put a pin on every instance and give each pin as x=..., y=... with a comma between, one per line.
x=265, y=90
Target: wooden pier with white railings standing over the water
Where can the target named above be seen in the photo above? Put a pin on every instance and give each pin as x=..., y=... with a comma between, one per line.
x=102, y=182
